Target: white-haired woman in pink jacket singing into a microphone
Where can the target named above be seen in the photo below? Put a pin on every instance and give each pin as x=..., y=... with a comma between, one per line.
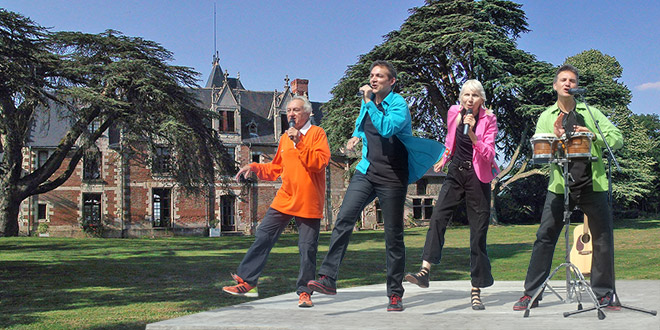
x=471, y=132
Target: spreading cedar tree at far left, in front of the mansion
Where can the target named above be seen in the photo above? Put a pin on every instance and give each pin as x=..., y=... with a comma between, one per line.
x=107, y=78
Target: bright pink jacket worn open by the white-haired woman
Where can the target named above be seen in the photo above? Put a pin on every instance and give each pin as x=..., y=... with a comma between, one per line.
x=483, y=155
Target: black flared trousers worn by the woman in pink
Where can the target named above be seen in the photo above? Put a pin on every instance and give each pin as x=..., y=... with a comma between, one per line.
x=461, y=184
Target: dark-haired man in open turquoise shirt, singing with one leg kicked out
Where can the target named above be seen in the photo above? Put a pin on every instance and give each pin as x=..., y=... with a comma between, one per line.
x=391, y=158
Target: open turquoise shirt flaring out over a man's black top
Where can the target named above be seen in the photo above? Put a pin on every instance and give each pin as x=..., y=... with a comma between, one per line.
x=395, y=121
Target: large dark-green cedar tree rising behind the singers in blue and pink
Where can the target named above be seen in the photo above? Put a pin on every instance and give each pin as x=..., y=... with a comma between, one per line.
x=440, y=46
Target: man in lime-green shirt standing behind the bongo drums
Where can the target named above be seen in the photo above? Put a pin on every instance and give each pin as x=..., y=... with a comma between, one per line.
x=588, y=187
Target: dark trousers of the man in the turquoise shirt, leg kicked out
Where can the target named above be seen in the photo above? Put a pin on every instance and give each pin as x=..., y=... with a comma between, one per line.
x=359, y=193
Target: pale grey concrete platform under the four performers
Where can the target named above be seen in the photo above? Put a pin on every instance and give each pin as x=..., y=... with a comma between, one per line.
x=444, y=305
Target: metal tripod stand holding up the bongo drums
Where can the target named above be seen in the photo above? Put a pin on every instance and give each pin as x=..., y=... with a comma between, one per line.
x=575, y=282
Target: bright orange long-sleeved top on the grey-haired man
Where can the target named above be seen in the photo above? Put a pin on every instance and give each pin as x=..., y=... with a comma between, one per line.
x=302, y=168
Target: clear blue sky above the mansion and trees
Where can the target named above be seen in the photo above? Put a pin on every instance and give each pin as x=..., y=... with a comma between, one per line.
x=317, y=40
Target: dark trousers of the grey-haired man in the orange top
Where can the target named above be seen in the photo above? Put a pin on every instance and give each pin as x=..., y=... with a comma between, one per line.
x=267, y=234
